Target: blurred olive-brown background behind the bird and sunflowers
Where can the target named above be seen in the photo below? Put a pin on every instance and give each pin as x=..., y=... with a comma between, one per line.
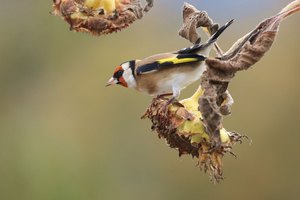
x=63, y=135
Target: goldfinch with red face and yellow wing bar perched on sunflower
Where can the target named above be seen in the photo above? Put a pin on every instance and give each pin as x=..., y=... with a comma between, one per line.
x=167, y=72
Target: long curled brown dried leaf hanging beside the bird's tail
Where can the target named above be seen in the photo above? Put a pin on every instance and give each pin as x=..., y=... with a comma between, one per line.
x=244, y=54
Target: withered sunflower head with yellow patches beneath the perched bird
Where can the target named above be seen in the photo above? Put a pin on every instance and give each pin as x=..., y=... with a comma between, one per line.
x=183, y=130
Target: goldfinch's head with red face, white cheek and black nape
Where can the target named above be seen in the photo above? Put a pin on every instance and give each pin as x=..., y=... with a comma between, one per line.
x=124, y=75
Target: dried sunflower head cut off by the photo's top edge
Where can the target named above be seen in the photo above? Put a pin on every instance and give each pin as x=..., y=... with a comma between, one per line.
x=100, y=17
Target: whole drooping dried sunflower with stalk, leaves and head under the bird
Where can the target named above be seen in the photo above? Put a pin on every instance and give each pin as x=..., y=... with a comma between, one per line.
x=194, y=125
